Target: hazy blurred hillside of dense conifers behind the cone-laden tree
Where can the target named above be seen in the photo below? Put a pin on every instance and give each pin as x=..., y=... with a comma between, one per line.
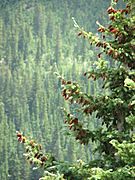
x=37, y=38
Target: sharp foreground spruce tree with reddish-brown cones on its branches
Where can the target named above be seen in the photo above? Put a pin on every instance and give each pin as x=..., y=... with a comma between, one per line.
x=114, y=108
